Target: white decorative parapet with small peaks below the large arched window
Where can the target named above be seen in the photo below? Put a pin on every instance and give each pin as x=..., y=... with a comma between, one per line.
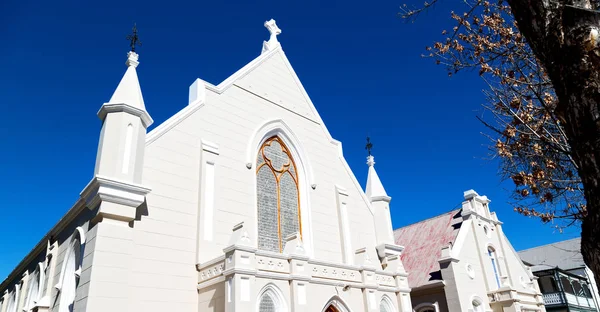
x=292, y=265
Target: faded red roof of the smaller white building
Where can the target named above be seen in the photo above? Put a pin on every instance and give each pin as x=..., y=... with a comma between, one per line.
x=423, y=242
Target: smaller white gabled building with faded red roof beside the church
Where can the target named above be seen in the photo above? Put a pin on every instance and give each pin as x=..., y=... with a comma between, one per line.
x=463, y=261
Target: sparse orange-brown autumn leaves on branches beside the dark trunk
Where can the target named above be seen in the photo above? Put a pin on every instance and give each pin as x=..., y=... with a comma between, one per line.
x=525, y=131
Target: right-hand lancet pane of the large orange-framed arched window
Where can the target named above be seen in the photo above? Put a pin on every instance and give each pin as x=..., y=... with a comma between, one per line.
x=288, y=205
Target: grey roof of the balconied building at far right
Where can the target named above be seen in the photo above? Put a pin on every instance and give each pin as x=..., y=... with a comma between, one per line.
x=565, y=255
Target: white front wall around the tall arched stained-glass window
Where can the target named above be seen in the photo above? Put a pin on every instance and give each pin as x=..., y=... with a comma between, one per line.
x=229, y=119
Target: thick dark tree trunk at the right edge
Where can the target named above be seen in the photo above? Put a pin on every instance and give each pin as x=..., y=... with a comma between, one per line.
x=564, y=35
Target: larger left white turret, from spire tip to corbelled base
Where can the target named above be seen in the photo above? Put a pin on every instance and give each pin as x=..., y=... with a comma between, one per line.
x=116, y=187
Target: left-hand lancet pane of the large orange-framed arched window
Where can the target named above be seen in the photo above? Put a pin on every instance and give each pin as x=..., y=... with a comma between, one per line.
x=266, y=189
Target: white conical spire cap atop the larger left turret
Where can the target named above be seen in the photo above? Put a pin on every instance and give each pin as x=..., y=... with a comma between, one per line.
x=128, y=93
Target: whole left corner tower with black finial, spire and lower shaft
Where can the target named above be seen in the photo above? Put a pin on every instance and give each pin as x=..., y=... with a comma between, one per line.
x=116, y=192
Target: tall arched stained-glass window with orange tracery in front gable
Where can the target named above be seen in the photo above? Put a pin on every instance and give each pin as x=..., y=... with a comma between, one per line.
x=277, y=195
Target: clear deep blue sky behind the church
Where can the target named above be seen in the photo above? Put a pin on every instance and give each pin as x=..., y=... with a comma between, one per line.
x=361, y=65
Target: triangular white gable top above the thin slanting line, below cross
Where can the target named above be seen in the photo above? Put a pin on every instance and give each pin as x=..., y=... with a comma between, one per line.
x=276, y=81
